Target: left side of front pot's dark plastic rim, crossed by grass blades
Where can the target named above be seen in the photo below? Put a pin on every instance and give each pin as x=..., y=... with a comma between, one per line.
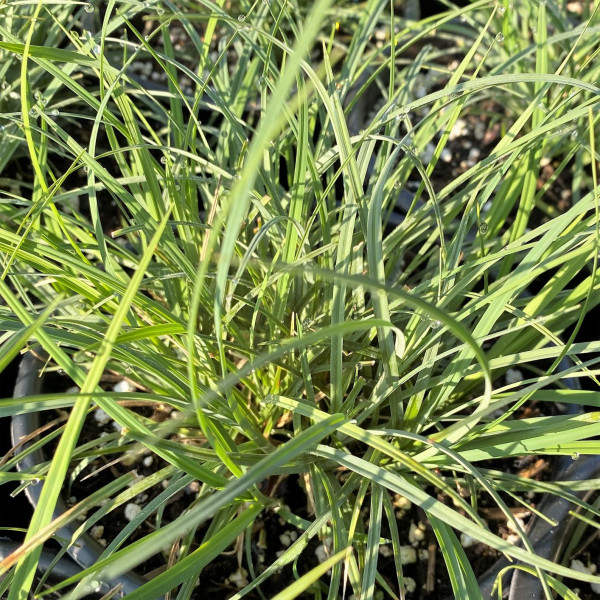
x=86, y=551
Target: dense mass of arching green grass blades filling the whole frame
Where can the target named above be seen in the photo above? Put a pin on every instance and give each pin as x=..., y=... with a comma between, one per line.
x=247, y=211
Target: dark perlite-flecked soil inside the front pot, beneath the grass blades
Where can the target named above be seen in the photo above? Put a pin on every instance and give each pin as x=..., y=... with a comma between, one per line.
x=271, y=535
